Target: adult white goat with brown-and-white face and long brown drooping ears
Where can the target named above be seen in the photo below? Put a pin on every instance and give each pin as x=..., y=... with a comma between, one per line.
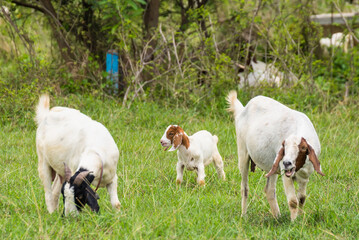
x=272, y=136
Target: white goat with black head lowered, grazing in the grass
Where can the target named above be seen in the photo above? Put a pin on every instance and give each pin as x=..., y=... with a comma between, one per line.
x=67, y=142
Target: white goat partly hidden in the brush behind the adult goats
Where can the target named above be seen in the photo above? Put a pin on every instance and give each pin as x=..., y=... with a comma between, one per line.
x=263, y=72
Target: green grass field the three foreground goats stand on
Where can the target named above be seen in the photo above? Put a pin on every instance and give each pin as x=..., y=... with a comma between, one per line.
x=154, y=207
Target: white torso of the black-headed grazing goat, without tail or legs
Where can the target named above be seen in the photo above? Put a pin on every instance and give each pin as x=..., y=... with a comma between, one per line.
x=66, y=135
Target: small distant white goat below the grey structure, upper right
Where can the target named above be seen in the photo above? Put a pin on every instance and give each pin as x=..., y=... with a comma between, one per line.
x=337, y=40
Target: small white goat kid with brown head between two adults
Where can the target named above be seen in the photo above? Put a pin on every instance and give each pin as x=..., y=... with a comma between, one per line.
x=194, y=152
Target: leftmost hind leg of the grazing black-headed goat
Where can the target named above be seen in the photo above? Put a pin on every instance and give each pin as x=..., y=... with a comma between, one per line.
x=45, y=173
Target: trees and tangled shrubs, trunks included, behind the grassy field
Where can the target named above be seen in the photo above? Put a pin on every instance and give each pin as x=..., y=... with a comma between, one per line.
x=173, y=50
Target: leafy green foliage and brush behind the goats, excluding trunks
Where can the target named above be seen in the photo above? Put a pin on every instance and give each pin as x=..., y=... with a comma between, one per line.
x=190, y=59
